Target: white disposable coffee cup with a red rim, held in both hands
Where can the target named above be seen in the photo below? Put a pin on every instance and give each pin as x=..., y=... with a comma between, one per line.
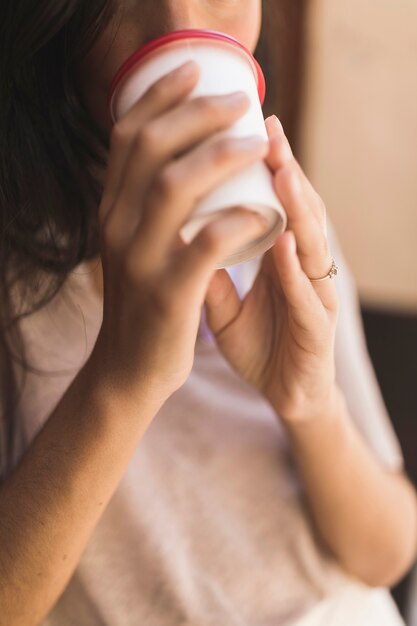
x=225, y=66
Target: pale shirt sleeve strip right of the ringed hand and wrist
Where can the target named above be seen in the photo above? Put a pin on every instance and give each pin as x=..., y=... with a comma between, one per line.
x=354, y=371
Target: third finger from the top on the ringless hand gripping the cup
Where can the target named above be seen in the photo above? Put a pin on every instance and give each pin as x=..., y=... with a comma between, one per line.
x=183, y=183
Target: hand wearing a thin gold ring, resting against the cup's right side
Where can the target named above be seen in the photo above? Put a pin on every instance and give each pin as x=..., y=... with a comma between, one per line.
x=280, y=337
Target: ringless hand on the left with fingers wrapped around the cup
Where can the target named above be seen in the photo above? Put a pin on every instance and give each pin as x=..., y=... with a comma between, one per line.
x=154, y=285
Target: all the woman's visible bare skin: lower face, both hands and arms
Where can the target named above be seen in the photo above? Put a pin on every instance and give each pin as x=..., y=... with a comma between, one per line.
x=52, y=502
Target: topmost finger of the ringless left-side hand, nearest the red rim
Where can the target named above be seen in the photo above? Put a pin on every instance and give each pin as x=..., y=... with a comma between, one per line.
x=164, y=94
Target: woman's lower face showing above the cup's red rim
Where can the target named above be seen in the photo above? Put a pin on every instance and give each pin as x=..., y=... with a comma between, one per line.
x=134, y=26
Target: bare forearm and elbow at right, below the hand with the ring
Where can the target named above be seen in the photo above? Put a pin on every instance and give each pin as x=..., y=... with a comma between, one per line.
x=366, y=515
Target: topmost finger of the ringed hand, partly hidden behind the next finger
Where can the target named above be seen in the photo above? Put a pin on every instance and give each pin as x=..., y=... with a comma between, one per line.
x=280, y=155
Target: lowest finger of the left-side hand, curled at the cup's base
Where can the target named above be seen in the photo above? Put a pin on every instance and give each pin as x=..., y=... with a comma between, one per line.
x=194, y=266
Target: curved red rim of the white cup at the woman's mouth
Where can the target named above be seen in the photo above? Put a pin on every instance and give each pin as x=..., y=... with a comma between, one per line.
x=189, y=33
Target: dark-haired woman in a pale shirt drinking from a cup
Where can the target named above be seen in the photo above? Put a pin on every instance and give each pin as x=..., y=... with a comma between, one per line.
x=175, y=471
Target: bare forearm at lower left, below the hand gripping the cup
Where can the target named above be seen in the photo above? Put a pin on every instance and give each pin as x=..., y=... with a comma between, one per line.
x=51, y=503
